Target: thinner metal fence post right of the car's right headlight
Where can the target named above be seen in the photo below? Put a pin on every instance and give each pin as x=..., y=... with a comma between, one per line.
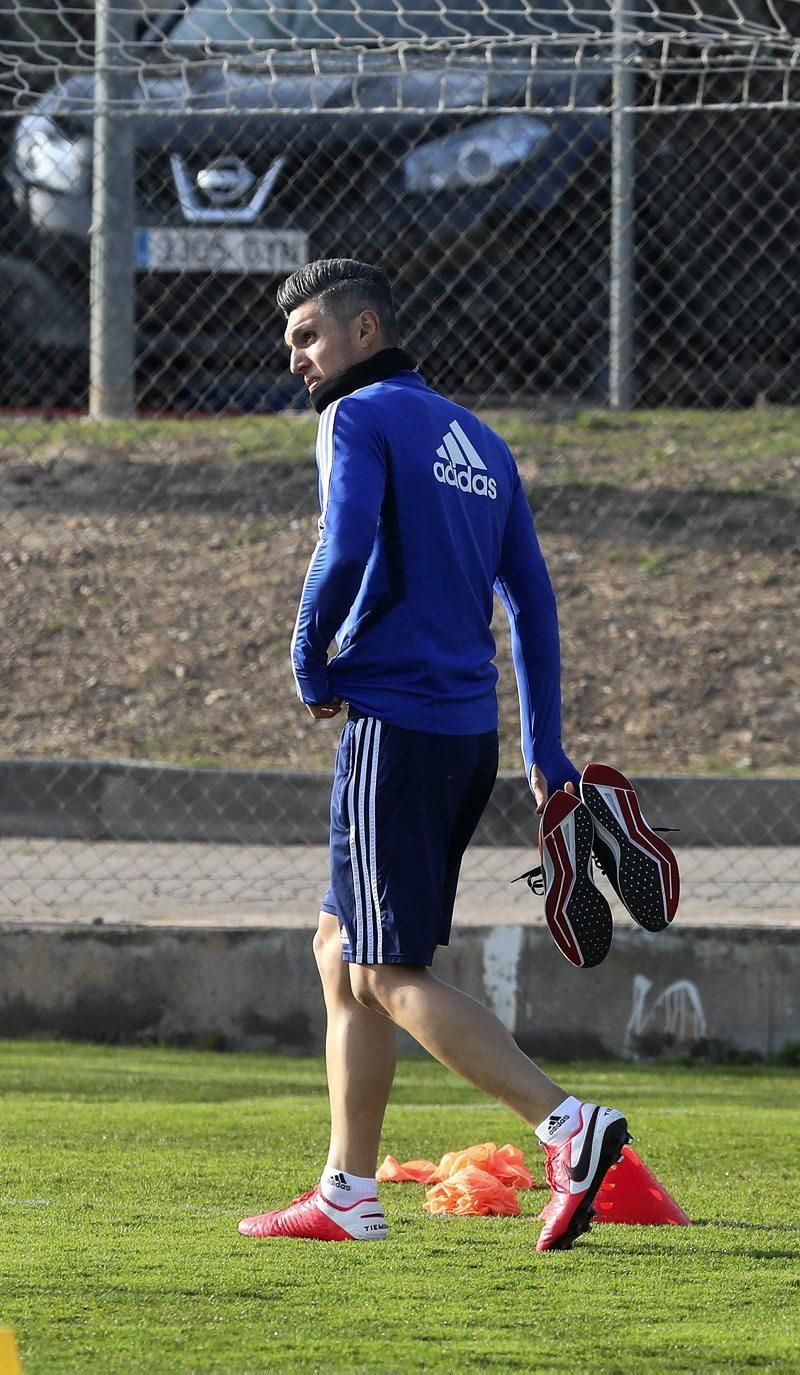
x=622, y=309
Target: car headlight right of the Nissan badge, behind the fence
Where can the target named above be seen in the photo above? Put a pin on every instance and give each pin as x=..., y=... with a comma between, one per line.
x=475, y=156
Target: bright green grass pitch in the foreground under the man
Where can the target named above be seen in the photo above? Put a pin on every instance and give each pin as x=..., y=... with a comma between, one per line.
x=124, y=1172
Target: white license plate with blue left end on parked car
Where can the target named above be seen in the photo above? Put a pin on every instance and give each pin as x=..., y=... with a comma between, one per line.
x=222, y=251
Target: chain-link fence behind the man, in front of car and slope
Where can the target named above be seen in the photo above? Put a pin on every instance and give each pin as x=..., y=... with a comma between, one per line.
x=582, y=212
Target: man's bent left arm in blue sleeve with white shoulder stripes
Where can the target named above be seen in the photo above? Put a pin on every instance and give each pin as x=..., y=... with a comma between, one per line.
x=353, y=483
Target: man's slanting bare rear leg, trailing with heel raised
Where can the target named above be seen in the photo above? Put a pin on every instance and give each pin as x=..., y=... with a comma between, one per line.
x=460, y=1033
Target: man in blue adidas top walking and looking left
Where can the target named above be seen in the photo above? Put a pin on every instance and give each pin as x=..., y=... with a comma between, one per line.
x=423, y=516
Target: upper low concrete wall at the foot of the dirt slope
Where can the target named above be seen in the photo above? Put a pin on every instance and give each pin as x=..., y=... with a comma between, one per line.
x=119, y=801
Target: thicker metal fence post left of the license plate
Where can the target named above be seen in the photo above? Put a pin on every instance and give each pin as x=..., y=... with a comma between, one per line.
x=112, y=332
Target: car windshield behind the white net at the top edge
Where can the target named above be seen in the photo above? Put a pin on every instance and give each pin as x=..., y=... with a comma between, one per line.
x=255, y=23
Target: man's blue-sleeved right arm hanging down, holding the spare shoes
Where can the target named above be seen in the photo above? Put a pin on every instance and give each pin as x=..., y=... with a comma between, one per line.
x=527, y=593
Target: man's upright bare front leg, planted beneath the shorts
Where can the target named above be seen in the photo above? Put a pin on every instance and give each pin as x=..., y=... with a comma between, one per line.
x=361, y=1055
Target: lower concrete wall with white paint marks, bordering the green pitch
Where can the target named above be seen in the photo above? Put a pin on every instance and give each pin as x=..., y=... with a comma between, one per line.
x=258, y=988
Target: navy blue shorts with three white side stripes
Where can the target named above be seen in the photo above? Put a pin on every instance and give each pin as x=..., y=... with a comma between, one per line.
x=405, y=806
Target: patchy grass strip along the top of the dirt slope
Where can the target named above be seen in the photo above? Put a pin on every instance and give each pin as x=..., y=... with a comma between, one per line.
x=717, y=452
